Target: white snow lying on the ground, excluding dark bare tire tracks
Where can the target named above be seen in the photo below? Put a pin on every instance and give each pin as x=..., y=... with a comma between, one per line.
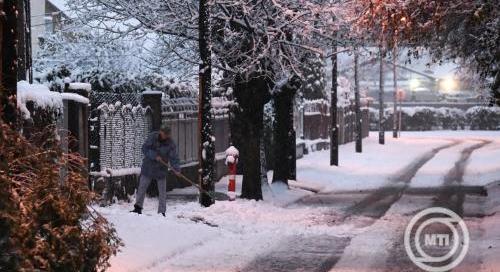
x=229, y=235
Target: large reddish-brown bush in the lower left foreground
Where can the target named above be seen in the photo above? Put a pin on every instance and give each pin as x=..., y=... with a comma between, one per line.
x=46, y=223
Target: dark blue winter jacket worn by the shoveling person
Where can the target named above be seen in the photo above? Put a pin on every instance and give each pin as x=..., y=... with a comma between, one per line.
x=152, y=148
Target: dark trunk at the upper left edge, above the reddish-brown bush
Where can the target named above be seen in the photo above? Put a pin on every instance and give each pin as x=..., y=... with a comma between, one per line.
x=9, y=62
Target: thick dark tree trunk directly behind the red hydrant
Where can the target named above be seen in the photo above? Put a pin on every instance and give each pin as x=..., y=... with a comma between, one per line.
x=251, y=94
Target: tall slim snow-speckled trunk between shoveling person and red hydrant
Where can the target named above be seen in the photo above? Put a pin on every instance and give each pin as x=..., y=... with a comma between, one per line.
x=206, y=149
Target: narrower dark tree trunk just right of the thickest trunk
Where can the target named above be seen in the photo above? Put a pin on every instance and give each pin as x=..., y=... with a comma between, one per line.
x=284, y=133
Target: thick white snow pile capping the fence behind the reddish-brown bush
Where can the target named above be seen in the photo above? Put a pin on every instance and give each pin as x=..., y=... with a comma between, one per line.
x=40, y=95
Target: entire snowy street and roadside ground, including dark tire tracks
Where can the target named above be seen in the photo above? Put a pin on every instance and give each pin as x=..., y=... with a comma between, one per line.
x=355, y=223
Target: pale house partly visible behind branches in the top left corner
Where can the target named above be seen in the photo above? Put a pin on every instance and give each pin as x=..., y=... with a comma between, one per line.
x=47, y=16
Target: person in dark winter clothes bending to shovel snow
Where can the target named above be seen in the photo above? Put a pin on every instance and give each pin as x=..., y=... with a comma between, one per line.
x=158, y=149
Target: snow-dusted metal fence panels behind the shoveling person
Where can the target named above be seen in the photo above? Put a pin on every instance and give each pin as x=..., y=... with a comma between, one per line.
x=119, y=126
